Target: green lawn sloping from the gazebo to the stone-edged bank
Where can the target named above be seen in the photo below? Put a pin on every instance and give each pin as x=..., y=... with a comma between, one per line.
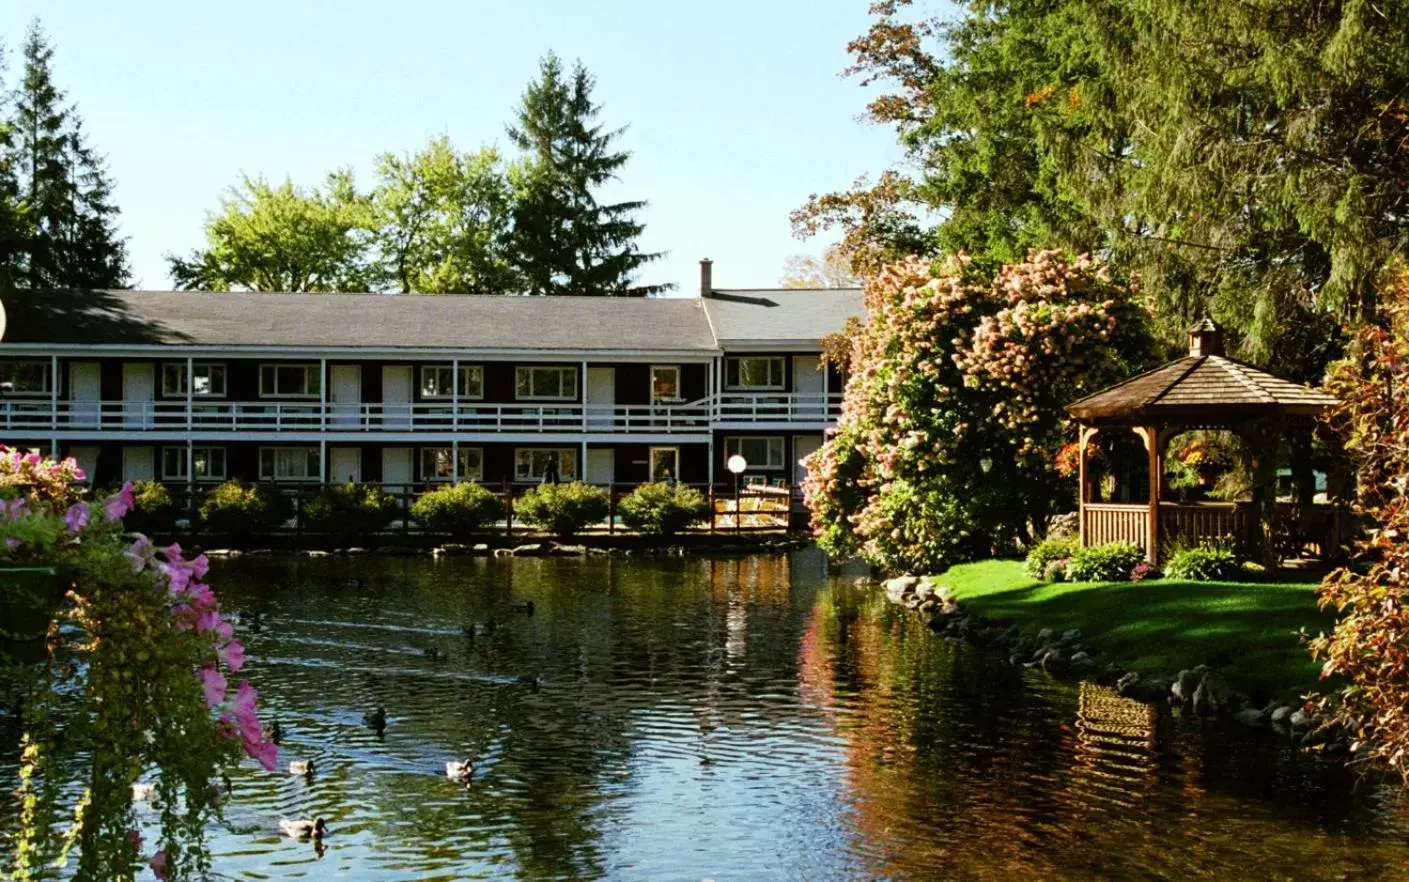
x=1163, y=626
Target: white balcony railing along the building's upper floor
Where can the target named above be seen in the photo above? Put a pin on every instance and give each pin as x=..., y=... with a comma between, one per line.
x=18, y=415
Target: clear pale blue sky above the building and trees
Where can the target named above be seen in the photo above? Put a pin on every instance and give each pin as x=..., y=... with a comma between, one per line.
x=738, y=111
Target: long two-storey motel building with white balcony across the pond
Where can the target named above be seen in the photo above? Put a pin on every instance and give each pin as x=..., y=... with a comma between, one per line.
x=421, y=391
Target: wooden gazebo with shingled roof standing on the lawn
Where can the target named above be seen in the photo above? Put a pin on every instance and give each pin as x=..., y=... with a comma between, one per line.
x=1204, y=390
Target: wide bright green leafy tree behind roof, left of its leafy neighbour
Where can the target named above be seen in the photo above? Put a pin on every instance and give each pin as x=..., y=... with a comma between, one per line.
x=283, y=239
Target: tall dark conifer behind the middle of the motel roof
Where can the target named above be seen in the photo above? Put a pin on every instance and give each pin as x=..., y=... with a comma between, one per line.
x=564, y=240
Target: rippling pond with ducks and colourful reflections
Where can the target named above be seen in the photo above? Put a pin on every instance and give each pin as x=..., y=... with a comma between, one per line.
x=731, y=719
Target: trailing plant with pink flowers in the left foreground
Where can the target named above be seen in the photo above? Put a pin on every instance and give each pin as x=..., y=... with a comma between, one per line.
x=135, y=683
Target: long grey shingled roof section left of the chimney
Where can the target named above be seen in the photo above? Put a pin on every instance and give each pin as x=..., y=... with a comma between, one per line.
x=456, y=322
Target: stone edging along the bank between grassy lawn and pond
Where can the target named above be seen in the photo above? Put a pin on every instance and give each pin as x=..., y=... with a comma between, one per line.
x=1201, y=691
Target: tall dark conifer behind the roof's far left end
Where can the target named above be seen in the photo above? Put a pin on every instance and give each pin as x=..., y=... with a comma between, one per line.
x=70, y=225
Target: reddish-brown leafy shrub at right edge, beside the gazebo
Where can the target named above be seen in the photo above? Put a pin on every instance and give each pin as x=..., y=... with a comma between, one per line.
x=1370, y=646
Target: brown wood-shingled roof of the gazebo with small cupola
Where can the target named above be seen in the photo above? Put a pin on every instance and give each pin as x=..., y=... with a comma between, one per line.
x=1201, y=384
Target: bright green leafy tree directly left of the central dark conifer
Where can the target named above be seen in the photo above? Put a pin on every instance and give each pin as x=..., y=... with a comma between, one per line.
x=442, y=222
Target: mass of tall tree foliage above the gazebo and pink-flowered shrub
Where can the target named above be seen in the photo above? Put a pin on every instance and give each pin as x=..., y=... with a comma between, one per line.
x=1245, y=157
